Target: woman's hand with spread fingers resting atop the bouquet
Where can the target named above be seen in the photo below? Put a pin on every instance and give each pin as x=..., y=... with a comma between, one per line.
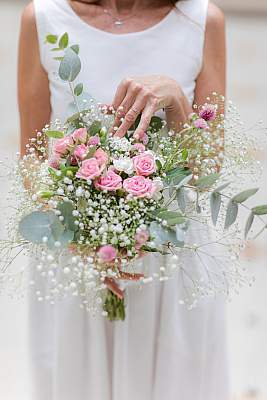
x=146, y=95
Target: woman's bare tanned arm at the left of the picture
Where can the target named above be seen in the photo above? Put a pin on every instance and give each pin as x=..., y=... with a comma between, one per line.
x=33, y=88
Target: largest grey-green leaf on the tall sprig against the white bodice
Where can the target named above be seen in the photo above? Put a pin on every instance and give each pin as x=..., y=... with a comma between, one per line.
x=70, y=66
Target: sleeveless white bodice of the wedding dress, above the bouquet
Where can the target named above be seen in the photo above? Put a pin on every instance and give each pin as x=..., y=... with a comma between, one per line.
x=172, y=47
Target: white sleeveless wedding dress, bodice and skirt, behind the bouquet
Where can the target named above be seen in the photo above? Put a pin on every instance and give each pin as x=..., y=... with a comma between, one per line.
x=161, y=351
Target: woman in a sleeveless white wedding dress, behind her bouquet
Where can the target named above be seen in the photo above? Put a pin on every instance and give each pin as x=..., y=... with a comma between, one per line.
x=141, y=56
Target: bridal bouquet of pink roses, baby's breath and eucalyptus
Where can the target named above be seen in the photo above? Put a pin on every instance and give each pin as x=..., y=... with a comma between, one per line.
x=92, y=205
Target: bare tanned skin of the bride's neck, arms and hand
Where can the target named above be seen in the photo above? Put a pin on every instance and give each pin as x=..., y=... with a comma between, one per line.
x=145, y=94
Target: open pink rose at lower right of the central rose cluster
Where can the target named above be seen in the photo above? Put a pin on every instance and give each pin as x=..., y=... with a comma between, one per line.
x=139, y=186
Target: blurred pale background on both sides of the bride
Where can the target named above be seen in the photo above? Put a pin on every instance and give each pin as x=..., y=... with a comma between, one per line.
x=247, y=314
